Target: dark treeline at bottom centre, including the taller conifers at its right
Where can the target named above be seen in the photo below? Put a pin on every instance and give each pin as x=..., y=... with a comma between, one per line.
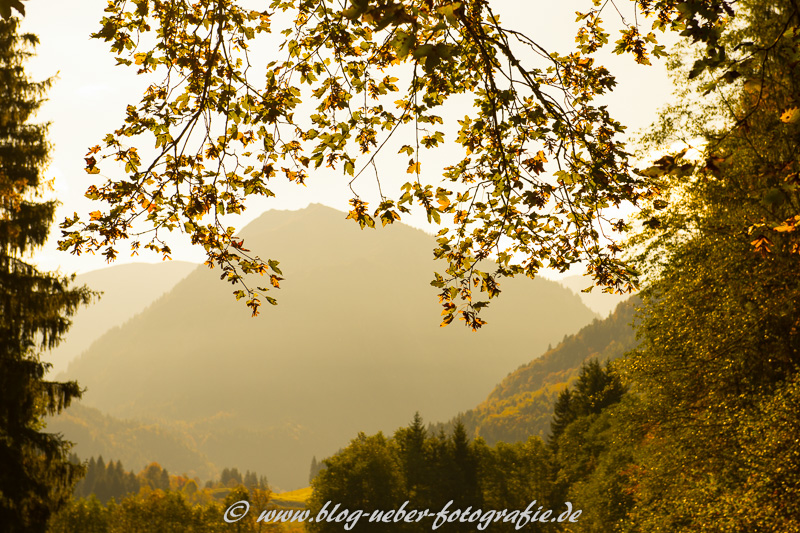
x=376, y=473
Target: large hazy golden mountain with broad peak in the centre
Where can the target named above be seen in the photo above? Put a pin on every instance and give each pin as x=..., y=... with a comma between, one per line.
x=354, y=345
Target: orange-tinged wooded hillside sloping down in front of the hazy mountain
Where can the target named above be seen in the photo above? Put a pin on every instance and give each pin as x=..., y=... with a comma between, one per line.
x=522, y=404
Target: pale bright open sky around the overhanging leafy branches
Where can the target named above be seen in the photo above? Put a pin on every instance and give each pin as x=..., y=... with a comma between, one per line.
x=90, y=95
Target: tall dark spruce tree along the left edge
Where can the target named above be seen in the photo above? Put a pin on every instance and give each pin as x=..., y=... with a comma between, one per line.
x=35, y=474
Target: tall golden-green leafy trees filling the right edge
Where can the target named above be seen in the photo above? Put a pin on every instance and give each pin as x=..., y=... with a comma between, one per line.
x=720, y=351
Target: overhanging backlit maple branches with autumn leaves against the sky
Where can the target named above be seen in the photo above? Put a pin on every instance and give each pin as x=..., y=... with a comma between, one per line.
x=541, y=165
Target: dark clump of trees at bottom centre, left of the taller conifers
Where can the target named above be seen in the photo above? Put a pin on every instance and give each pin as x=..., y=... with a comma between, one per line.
x=429, y=470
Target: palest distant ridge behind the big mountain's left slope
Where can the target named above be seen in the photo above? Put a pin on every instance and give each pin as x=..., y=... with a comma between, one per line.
x=127, y=290
